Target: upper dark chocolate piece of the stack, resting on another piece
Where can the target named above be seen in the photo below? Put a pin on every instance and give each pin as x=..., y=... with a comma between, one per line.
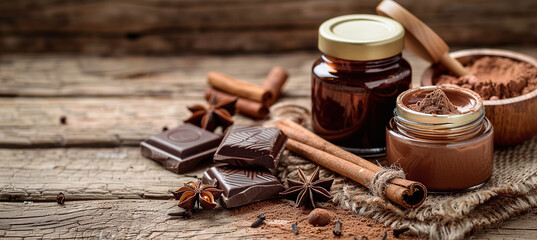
x=251, y=146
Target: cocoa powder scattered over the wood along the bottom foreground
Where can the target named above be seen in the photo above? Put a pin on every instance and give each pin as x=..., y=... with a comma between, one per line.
x=281, y=214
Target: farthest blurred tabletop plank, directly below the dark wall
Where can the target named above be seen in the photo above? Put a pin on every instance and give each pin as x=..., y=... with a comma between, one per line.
x=181, y=77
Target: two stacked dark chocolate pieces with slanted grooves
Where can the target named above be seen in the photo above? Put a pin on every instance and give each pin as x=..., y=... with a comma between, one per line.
x=249, y=151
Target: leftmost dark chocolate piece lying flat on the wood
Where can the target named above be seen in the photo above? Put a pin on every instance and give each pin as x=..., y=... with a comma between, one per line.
x=181, y=149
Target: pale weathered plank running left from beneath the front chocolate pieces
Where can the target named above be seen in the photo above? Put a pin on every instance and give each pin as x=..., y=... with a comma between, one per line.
x=86, y=173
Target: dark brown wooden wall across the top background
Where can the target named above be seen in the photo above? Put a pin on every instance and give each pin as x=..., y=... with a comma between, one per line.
x=172, y=27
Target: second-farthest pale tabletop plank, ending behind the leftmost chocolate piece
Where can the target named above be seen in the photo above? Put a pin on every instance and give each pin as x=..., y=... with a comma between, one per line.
x=36, y=122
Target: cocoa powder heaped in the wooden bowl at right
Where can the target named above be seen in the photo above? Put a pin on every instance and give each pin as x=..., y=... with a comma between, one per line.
x=495, y=78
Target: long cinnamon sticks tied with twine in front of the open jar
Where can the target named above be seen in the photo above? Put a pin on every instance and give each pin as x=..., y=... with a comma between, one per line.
x=406, y=193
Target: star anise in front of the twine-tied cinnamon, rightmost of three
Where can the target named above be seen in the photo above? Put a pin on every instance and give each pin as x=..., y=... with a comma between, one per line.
x=308, y=191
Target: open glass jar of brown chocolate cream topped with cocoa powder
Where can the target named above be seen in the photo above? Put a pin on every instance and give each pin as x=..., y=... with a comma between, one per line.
x=445, y=149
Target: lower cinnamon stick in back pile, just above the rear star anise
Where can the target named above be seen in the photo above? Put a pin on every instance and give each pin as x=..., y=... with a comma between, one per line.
x=244, y=106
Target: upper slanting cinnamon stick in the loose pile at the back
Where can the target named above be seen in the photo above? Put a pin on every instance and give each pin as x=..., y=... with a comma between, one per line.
x=238, y=88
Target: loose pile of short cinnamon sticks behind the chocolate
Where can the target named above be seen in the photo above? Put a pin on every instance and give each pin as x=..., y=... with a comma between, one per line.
x=254, y=101
